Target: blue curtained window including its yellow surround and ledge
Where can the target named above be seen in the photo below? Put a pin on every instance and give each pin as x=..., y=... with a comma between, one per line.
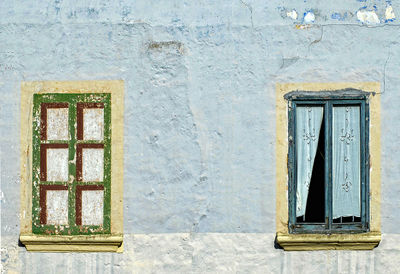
x=328, y=166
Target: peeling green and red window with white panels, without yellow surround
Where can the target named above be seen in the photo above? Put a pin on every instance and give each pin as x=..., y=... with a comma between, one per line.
x=71, y=163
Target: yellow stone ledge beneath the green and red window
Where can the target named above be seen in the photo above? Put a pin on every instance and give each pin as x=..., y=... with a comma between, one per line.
x=81, y=243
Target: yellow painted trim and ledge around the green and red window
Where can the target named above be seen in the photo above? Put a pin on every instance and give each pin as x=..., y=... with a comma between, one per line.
x=80, y=243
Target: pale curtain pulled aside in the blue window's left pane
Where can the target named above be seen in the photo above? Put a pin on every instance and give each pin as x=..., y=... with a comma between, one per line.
x=308, y=125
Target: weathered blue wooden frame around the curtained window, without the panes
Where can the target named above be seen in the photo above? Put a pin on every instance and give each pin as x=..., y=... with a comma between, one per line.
x=328, y=102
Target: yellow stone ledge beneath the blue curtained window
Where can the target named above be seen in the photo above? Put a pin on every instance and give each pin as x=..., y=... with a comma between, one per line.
x=362, y=241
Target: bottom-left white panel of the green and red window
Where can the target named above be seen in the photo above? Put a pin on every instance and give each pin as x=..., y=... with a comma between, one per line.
x=57, y=207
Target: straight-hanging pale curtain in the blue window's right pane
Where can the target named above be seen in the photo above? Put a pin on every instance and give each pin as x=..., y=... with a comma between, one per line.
x=346, y=161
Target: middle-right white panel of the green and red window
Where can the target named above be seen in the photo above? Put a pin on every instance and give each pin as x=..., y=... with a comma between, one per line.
x=92, y=164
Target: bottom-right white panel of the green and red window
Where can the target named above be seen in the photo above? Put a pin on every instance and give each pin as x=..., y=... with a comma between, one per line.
x=92, y=207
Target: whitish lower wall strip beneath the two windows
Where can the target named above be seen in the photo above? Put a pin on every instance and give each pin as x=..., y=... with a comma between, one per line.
x=208, y=253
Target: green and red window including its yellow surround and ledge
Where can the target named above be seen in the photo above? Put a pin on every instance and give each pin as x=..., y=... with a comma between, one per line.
x=72, y=192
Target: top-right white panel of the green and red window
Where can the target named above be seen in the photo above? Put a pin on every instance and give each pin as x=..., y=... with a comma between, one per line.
x=93, y=123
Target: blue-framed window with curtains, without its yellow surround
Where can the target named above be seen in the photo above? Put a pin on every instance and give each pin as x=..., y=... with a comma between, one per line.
x=328, y=144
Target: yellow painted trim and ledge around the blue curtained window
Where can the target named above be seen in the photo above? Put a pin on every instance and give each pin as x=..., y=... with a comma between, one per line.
x=359, y=241
